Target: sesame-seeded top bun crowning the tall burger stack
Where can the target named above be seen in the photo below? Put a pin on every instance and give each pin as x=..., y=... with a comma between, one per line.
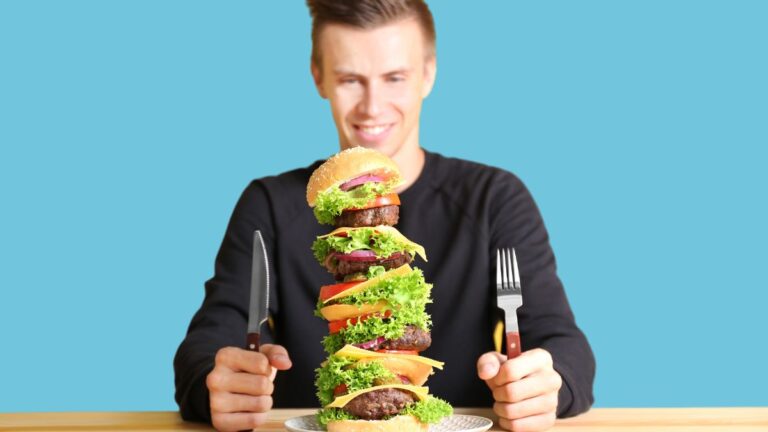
x=347, y=165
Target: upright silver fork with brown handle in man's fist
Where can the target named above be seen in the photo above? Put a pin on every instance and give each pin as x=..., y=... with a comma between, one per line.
x=509, y=297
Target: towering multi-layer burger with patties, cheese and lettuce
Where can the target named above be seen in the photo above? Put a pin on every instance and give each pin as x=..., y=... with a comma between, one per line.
x=373, y=379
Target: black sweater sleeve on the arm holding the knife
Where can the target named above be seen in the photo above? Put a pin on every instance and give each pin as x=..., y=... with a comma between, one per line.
x=222, y=318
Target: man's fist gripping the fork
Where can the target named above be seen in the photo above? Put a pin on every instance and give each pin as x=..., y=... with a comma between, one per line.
x=525, y=389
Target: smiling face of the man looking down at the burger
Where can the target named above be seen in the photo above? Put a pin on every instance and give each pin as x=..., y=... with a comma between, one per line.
x=375, y=81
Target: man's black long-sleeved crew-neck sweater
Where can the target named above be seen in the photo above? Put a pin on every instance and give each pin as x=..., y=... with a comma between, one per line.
x=460, y=212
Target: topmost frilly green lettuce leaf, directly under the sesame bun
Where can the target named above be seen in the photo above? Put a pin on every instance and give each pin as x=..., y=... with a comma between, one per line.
x=332, y=202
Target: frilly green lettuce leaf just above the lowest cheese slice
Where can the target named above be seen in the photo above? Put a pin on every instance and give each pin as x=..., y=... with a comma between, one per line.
x=357, y=376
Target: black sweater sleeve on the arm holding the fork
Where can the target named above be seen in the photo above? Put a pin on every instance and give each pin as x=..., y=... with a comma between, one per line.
x=546, y=320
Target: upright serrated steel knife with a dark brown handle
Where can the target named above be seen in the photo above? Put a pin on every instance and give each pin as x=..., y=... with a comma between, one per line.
x=258, y=310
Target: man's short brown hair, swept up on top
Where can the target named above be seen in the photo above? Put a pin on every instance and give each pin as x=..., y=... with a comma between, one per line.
x=368, y=14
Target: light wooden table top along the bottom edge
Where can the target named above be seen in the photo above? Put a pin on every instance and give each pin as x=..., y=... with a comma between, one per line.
x=598, y=420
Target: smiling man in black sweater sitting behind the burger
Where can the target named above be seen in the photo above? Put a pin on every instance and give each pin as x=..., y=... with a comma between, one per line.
x=375, y=62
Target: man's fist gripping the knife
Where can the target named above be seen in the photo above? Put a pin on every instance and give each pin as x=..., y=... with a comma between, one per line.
x=240, y=386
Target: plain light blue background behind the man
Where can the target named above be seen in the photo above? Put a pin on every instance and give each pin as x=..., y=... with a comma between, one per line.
x=128, y=130
